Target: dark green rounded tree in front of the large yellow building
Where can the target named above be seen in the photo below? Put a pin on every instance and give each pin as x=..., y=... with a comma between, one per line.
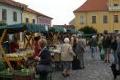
x=88, y=30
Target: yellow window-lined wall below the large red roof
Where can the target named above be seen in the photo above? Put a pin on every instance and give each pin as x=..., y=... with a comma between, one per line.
x=99, y=25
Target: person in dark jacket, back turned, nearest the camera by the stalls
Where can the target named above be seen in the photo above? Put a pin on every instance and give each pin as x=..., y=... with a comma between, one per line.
x=44, y=61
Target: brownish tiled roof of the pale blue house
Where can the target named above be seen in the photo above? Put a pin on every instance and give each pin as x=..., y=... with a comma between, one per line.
x=13, y=3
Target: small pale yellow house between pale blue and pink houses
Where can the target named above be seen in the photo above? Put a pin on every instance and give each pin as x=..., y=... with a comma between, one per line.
x=29, y=16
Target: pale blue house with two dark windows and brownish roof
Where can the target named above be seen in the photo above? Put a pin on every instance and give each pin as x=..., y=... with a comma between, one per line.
x=11, y=12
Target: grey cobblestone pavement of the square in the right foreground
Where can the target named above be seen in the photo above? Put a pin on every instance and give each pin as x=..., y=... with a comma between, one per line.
x=94, y=70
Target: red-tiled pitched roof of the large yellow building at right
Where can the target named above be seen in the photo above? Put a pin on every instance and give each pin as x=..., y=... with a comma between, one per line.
x=93, y=5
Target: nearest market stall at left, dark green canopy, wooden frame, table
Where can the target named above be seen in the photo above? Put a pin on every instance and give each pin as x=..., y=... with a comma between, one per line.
x=16, y=55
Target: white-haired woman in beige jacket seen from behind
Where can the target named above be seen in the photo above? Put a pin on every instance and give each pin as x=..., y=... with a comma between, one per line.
x=67, y=55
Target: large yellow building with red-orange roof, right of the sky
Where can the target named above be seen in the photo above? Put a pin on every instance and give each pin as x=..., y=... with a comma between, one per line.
x=99, y=14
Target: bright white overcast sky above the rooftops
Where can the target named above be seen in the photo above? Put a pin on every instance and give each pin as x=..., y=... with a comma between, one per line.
x=60, y=10
